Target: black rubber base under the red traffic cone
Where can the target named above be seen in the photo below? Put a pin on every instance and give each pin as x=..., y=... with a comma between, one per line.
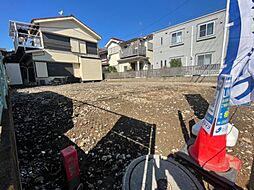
x=225, y=180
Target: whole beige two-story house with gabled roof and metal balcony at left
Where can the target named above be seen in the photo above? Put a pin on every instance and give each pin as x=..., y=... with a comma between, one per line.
x=56, y=48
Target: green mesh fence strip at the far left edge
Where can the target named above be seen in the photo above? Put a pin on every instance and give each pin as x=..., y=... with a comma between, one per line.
x=3, y=88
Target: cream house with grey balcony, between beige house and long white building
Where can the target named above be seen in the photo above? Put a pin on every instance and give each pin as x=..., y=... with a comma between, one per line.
x=135, y=54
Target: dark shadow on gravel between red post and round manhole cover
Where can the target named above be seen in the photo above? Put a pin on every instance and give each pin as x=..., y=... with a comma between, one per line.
x=108, y=160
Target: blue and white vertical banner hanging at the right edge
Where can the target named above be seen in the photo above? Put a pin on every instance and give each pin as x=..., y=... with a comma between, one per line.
x=239, y=61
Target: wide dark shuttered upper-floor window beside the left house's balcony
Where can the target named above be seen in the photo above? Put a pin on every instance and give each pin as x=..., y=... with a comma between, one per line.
x=56, y=42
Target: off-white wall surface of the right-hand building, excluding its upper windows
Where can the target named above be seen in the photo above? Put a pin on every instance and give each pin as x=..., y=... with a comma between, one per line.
x=191, y=46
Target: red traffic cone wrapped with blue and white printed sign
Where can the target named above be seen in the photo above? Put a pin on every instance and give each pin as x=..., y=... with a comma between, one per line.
x=209, y=149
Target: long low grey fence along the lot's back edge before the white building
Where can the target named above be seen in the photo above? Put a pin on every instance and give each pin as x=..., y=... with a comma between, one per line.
x=203, y=70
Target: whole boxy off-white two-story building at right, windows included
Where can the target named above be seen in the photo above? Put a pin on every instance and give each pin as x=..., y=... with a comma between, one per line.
x=195, y=42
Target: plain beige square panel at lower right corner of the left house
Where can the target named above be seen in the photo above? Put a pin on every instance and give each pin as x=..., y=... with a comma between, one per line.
x=90, y=69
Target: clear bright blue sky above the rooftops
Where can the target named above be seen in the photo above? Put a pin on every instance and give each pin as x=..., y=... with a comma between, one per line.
x=109, y=18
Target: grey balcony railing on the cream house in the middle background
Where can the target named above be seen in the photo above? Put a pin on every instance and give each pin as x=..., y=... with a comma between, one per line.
x=132, y=51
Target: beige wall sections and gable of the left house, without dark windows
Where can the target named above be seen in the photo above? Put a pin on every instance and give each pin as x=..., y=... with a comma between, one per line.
x=87, y=69
